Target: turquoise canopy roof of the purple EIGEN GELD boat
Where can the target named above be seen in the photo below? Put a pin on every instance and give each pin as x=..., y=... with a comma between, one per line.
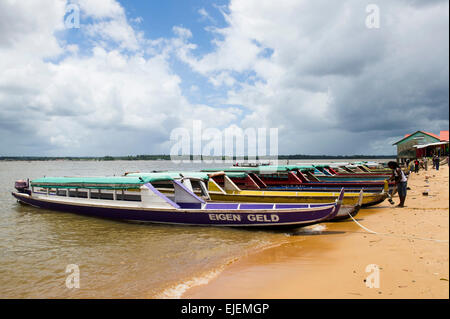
x=104, y=182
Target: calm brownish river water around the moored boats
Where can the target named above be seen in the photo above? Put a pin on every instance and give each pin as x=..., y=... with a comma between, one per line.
x=116, y=259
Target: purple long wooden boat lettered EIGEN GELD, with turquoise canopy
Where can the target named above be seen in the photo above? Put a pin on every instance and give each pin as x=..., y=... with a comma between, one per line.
x=117, y=198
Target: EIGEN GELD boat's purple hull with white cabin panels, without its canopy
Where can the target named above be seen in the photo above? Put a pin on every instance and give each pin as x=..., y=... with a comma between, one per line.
x=186, y=209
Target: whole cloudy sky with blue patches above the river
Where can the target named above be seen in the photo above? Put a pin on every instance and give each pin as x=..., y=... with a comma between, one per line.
x=133, y=71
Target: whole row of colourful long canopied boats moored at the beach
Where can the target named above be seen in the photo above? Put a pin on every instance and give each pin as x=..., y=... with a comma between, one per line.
x=256, y=196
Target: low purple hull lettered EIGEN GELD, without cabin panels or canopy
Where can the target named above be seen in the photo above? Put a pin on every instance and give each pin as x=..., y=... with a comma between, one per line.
x=211, y=214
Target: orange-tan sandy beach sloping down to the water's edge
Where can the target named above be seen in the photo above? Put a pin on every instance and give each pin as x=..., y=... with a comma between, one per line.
x=411, y=253
